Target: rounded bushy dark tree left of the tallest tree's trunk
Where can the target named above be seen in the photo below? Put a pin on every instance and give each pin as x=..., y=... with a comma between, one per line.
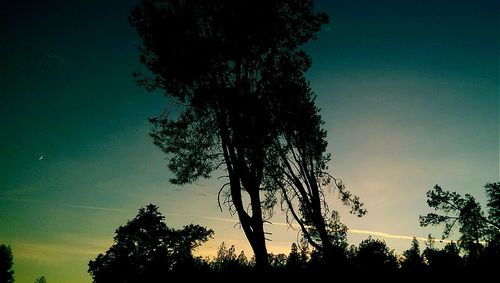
x=145, y=250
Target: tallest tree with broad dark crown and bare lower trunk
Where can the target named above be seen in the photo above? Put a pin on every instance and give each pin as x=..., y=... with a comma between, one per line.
x=227, y=67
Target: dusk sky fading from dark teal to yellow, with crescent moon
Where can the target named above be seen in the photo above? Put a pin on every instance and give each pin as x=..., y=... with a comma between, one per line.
x=409, y=92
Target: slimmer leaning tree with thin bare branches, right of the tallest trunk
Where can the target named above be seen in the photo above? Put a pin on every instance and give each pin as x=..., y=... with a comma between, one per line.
x=298, y=167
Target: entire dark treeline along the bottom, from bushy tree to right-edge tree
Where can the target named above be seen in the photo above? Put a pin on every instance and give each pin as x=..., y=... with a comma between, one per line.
x=145, y=249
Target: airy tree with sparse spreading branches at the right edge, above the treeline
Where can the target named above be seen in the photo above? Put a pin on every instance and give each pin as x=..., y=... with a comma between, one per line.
x=465, y=212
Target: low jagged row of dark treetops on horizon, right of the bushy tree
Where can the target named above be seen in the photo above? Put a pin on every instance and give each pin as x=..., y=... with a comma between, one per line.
x=370, y=256
